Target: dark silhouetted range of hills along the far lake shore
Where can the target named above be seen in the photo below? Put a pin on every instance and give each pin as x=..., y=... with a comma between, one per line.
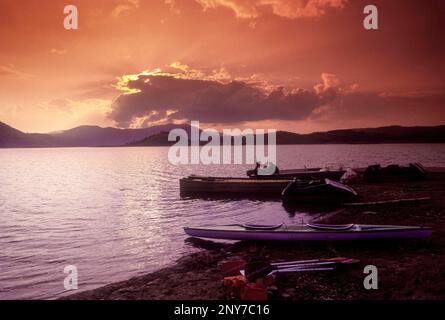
x=93, y=136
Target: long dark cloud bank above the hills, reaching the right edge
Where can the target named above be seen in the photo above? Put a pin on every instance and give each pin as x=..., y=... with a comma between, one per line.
x=238, y=101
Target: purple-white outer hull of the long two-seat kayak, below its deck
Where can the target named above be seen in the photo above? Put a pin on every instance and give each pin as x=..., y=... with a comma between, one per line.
x=315, y=235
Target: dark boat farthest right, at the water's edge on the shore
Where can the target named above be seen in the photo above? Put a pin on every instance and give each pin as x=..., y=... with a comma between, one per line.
x=395, y=172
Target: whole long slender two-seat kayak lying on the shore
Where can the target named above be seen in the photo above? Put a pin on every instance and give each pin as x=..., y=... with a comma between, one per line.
x=307, y=232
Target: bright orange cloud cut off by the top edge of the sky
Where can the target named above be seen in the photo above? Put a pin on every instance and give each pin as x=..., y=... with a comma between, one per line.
x=293, y=9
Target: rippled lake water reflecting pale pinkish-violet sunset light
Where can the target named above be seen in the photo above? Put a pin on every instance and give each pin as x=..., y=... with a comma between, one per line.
x=116, y=212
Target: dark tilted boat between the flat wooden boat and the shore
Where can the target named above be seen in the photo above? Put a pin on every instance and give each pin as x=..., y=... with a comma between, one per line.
x=323, y=190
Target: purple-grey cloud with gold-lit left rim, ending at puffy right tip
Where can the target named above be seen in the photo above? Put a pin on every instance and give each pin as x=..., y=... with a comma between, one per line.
x=154, y=96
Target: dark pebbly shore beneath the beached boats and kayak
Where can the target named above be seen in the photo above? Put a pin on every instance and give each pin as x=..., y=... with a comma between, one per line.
x=407, y=269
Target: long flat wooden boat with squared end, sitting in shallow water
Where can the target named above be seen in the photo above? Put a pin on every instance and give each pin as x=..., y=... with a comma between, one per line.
x=232, y=186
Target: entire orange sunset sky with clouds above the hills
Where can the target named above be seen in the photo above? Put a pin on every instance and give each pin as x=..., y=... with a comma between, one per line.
x=296, y=65
